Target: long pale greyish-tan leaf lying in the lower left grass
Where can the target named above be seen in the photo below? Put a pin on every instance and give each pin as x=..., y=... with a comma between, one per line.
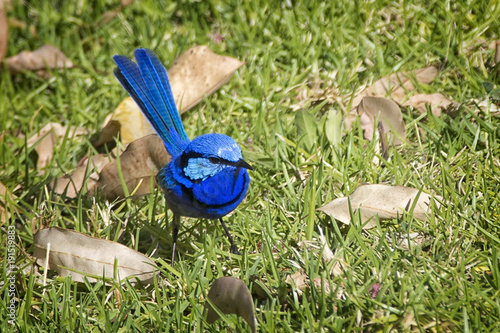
x=79, y=255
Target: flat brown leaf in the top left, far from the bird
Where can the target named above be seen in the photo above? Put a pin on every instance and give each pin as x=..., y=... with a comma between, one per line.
x=45, y=57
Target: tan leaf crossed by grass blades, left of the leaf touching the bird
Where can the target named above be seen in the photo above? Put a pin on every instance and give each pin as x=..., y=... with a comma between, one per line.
x=72, y=184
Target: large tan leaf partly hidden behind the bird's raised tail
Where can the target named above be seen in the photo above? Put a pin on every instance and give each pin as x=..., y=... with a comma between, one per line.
x=198, y=72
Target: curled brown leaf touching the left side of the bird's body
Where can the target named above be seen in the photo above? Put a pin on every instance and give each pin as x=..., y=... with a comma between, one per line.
x=142, y=159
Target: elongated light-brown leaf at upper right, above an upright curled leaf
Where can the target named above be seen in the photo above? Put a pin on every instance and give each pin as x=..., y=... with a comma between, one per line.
x=396, y=85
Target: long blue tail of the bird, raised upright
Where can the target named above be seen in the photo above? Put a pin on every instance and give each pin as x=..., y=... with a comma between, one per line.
x=148, y=84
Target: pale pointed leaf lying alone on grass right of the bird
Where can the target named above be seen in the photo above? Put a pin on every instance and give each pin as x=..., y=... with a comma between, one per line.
x=384, y=201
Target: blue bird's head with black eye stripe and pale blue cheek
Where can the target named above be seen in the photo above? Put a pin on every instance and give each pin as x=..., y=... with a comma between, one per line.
x=209, y=154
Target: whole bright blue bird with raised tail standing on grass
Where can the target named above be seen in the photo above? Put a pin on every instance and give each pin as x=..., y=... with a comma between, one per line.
x=205, y=178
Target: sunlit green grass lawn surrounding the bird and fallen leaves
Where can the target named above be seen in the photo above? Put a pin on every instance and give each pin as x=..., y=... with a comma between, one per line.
x=450, y=283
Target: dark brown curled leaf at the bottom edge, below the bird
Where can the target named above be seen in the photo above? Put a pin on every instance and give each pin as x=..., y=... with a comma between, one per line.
x=231, y=296
